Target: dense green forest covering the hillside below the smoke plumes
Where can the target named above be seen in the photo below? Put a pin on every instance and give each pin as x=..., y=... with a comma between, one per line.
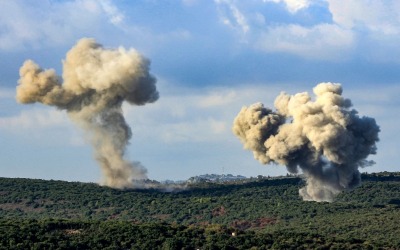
x=258, y=213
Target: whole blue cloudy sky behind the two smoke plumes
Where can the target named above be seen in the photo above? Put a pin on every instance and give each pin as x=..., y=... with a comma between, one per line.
x=210, y=58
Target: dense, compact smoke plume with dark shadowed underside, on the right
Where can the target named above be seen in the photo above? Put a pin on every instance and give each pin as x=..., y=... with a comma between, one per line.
x=325, y=138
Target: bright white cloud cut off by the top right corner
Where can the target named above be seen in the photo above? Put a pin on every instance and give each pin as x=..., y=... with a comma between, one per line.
x=376, y=24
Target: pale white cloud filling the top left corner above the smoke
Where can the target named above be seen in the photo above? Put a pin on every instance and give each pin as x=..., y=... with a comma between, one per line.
x=30, y=24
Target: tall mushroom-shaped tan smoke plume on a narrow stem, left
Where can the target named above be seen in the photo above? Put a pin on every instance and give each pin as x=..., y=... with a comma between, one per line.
x=95, y=83
